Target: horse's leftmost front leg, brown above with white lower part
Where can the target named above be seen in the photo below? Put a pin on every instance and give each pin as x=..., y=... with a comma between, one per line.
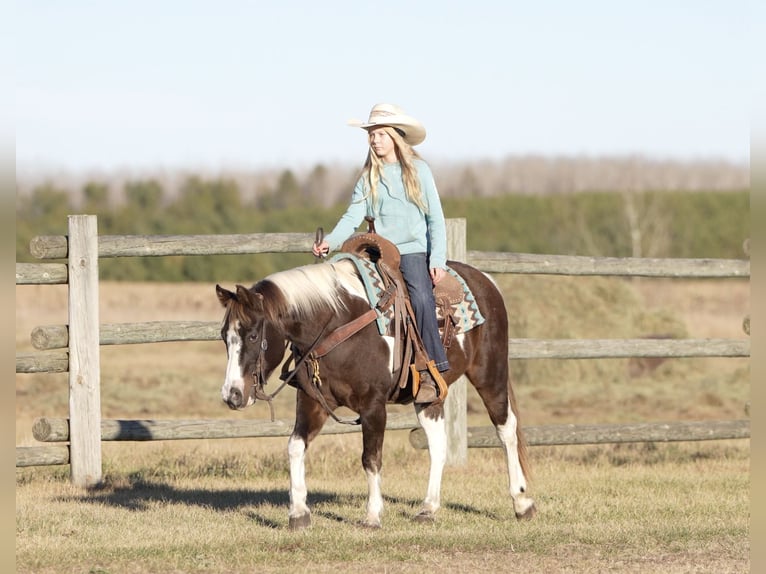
x=309, y=419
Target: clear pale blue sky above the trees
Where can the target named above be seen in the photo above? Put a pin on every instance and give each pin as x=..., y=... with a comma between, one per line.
x=209, y=85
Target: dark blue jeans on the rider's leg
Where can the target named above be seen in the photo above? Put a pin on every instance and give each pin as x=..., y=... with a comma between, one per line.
x=414, y=268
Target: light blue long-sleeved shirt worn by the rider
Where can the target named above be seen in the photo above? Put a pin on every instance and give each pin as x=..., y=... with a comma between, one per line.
x=397, y=218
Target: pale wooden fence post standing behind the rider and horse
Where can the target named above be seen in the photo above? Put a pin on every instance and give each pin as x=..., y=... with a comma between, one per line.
x=455, y=407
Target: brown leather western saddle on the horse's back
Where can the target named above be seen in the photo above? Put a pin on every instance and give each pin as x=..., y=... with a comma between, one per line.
x=408, y=346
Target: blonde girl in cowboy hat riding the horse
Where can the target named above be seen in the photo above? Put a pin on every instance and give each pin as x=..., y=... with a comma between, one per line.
x=397, y=189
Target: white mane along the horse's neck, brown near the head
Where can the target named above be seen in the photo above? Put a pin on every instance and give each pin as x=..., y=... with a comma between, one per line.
x=304, y=291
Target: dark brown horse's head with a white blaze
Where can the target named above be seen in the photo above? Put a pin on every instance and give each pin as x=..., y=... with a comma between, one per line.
x=255, y=347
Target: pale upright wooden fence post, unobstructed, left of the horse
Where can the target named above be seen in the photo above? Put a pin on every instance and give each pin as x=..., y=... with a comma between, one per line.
x=84, y=353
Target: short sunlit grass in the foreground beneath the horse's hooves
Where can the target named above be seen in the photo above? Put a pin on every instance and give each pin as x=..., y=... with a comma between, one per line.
x=658, y=508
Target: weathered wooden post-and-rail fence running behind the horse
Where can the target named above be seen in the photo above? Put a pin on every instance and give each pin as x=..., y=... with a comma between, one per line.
x=74, y=348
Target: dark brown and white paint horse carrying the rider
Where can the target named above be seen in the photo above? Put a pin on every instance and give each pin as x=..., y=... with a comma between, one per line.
x=297, y=308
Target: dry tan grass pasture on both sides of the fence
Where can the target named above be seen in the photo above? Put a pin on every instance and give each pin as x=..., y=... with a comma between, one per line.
x=221, y=505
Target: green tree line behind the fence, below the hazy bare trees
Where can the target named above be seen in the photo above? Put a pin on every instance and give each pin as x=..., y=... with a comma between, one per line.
x=622, y=222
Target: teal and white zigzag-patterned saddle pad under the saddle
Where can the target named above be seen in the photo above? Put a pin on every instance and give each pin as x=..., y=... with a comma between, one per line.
x=466, y=312
